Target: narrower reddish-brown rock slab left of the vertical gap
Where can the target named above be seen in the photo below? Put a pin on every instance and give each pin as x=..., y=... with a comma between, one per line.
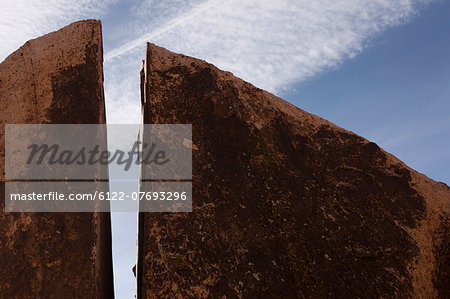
x=57, y=79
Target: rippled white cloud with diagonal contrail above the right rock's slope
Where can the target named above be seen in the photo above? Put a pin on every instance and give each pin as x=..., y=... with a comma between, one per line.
x=273, y=43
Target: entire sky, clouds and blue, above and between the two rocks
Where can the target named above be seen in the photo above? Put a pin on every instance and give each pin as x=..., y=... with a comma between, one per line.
x=378, y=68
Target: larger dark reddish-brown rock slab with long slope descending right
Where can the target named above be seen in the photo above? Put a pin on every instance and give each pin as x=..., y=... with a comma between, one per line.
x=285, y=204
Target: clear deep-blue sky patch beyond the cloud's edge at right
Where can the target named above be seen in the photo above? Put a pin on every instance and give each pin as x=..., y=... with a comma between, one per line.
x=395, y=93
